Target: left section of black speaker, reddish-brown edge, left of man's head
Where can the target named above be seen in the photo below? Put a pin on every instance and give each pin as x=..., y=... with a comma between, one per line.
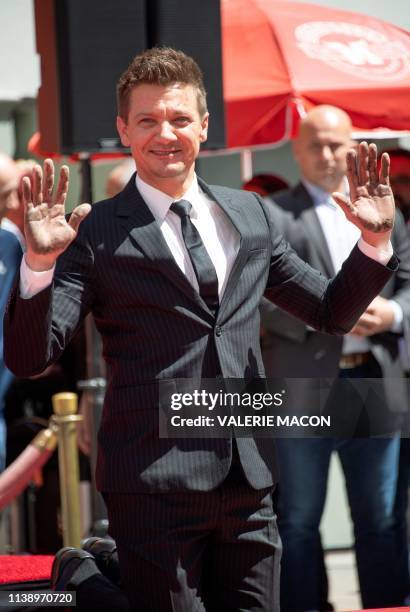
x=84, y=48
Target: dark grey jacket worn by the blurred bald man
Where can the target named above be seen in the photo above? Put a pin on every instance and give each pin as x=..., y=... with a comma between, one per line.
x=290, y=349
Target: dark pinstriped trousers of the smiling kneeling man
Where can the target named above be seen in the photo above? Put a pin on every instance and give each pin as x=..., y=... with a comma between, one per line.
x=197, y=551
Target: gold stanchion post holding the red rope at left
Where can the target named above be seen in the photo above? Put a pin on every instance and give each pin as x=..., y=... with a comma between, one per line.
x=66, y=418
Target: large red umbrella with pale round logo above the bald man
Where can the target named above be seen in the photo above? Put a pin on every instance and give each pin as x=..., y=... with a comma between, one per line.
x=280, y=58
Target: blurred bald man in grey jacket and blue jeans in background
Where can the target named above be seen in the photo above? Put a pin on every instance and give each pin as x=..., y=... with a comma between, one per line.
x=370, y=466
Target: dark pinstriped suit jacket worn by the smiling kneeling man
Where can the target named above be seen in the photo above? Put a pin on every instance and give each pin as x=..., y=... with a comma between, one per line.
x=155, y=326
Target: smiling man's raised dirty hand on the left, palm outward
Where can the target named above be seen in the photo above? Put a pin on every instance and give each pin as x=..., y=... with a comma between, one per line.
x=46, y=229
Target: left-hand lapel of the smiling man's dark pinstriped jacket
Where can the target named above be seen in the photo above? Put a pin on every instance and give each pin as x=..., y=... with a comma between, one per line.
x=143, y=229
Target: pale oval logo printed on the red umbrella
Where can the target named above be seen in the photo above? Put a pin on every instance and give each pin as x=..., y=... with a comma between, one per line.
x=354, y=49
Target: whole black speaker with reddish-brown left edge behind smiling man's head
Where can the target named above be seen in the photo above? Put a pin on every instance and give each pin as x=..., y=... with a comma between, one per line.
x=85, y=46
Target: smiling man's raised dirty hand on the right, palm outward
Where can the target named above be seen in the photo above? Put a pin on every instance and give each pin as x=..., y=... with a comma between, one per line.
x=371, y=205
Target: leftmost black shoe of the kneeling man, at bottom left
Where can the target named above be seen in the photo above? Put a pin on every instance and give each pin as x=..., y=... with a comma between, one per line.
x=66, y=563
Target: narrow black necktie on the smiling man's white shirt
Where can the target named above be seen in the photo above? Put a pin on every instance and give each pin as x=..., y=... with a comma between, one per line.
x=201, y=262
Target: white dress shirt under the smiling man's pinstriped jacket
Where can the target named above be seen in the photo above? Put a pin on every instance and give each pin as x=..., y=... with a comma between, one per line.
x=218, y=234
